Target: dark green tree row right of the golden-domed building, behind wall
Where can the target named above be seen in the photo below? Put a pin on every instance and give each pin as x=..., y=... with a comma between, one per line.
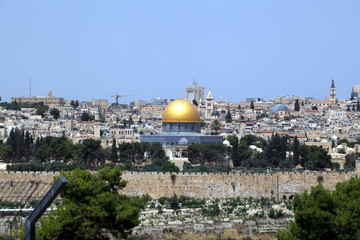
x=255, y=152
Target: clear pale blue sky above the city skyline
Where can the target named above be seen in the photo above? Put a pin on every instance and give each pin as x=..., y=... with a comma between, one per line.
x=238, y=49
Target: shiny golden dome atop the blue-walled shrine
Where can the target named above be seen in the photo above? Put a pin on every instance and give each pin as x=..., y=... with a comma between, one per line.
x=180, y=110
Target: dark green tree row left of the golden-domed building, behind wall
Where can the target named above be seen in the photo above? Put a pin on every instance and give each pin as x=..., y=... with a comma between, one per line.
x=55, y=153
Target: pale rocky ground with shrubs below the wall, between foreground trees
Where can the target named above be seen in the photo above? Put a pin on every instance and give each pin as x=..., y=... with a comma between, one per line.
x=232, y=218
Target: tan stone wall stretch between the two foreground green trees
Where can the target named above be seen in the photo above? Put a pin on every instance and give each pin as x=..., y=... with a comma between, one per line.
x=223, y=185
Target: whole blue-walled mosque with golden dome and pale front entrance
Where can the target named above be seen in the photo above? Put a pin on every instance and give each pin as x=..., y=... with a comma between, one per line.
x=180, y=129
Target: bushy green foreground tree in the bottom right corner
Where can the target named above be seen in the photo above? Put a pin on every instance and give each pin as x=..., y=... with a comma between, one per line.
x=322, y=214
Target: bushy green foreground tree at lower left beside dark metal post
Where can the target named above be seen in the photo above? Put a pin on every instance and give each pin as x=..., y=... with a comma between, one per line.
x=91, y=206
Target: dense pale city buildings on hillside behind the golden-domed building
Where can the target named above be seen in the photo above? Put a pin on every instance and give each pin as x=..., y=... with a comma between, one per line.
x=313, y=122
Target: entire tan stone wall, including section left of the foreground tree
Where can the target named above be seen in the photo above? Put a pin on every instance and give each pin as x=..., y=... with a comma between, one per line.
x=279, y=185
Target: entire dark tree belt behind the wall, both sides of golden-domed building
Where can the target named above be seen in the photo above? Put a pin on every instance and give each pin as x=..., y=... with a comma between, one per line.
x=58, y=153
